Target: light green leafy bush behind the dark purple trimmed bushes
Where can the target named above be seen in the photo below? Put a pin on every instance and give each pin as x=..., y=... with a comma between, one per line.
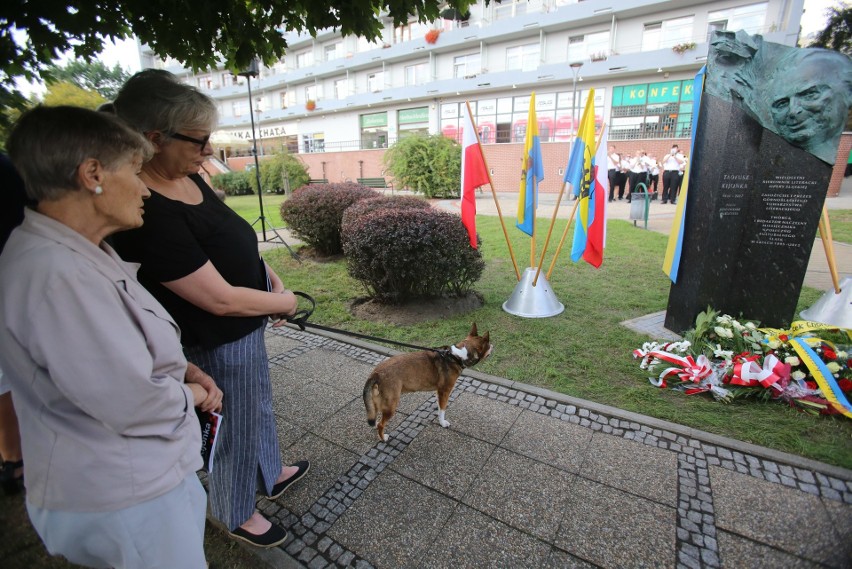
x=427, y=164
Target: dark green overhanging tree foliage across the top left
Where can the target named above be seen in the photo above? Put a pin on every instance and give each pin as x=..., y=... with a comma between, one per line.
x=199, y=35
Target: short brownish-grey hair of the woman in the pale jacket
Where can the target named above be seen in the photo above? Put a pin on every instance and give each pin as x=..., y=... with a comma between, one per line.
x=48, y=144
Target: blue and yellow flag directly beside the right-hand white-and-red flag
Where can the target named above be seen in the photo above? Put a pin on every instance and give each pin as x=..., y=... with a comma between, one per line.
x=580, y=175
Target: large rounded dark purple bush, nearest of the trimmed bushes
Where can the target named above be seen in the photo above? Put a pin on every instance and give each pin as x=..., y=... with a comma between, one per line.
x=403, y=254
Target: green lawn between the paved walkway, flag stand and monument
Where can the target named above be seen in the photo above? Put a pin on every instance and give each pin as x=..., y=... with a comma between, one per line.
x=583, y=352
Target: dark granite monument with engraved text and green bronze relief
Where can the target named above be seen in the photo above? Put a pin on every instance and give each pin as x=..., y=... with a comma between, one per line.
x=768, y=128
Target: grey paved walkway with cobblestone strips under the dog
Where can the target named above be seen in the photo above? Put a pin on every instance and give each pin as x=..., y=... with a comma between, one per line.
x=525, y=477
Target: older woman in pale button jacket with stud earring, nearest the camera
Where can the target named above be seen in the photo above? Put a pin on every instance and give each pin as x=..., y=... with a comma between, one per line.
x=103, y=392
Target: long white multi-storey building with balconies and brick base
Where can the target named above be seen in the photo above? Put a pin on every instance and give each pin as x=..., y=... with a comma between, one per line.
x=340, y=101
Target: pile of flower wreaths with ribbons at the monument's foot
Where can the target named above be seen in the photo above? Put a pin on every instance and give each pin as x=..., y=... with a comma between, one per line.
x=808, y=366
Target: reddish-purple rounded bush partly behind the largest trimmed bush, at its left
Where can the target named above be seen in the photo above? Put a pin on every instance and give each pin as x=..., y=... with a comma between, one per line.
x=314, y=213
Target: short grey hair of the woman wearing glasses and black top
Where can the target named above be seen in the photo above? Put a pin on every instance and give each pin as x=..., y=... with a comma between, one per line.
x=154, y=100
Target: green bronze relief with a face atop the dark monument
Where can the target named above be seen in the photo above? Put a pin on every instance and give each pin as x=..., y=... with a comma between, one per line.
x=803, y=95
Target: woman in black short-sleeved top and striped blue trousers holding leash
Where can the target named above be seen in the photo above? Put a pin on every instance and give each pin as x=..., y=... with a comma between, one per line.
x=200, y=259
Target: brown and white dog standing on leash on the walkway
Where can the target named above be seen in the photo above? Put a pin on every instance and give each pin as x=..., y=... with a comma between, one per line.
x=421, y=371
